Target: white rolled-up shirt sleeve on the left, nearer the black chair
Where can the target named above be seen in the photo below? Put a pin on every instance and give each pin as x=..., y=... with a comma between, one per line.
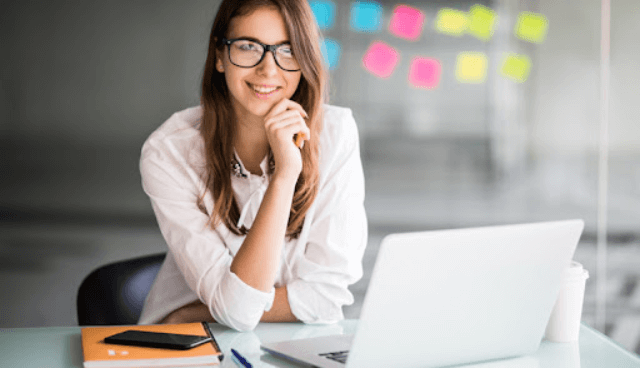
x=199, y=251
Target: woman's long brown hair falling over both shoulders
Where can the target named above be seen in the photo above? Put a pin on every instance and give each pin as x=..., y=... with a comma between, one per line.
x=218, y=120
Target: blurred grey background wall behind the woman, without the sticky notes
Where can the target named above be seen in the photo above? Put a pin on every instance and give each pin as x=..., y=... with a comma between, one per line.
x=84, y=83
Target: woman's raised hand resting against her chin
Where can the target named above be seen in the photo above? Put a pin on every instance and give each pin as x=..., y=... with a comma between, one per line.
x=284, y=121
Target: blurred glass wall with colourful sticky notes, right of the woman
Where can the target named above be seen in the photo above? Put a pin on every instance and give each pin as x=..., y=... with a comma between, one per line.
x=479, y=113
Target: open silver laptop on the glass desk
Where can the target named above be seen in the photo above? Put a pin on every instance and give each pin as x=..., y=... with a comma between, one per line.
x=448, y=297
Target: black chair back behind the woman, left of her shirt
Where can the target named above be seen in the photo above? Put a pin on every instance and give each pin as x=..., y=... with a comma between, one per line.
x=114, y=294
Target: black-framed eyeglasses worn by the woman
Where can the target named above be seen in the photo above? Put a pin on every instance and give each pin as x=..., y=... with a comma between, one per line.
x=247, y=53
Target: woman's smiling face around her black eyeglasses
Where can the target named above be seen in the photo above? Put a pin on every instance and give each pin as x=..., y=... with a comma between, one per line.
x=255, y=90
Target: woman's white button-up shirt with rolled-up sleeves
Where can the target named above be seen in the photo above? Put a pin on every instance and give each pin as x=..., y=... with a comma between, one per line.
x=317, y=268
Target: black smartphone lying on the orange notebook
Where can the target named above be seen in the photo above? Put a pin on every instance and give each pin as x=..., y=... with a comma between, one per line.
x=157, y=339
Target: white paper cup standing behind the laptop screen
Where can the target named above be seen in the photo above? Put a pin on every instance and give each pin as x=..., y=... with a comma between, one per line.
x=564, y=323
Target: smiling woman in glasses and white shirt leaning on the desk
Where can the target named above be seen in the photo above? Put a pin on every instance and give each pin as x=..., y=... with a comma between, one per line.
x=259, y=191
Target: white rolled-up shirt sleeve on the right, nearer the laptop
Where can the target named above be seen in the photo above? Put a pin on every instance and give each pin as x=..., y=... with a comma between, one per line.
x=332, y=257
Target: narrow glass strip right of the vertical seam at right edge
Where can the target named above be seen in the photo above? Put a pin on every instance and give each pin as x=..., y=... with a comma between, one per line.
x=621, y=23
